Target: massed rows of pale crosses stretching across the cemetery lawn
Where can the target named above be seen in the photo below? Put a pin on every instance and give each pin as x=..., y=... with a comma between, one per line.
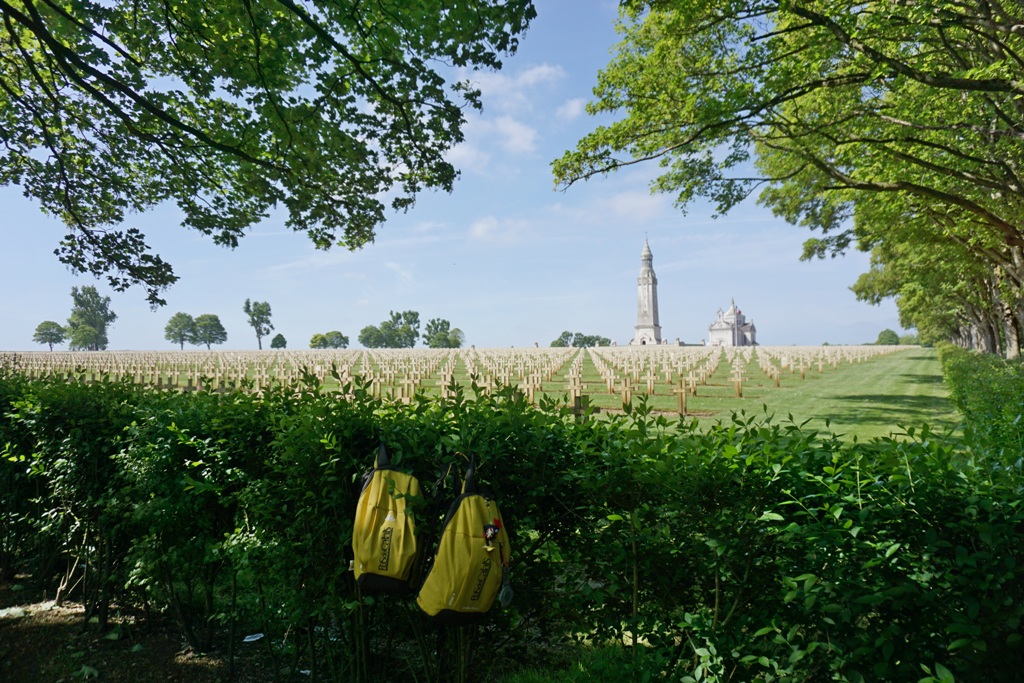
x=400, y=373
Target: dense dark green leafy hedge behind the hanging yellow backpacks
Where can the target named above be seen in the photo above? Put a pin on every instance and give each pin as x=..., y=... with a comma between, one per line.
x=756, y=551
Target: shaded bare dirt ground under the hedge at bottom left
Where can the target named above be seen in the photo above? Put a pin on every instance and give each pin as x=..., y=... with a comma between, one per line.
x=50, y=644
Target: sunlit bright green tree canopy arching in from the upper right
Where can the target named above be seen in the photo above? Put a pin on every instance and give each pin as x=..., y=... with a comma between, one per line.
x=875, y=124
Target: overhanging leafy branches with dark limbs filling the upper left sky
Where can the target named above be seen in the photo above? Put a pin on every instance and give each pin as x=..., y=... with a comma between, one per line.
x=232, y=109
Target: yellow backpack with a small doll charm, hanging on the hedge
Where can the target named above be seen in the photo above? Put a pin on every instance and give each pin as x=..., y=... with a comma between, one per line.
x=472, y=567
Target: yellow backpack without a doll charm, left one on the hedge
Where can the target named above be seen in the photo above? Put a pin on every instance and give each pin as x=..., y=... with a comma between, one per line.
x=388, y=551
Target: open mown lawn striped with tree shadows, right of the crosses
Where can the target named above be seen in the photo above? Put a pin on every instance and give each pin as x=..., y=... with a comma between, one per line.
x=878, y=398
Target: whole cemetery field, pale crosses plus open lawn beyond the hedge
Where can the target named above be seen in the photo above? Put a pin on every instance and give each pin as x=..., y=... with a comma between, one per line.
x=862, y=392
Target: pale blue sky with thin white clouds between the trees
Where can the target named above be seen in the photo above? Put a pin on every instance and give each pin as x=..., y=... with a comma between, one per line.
x=506, y=258
